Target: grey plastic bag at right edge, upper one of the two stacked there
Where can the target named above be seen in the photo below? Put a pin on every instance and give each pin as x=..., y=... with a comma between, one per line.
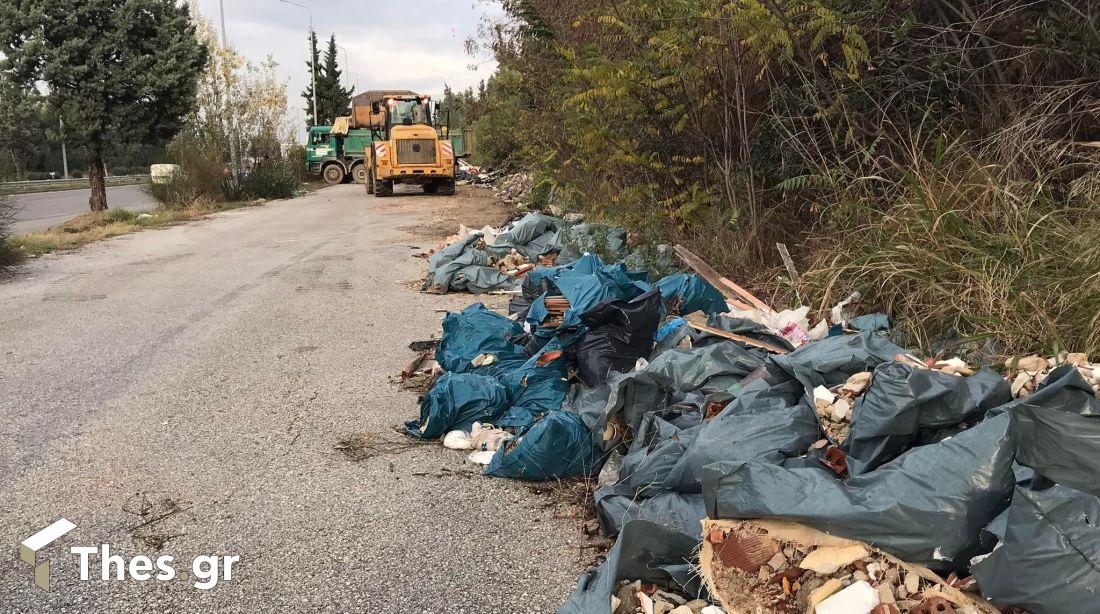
x=1059, y=431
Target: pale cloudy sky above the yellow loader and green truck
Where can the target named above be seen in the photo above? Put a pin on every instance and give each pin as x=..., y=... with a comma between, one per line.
x=392, y=45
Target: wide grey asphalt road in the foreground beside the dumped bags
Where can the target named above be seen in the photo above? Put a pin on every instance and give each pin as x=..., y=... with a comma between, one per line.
x=203, y=375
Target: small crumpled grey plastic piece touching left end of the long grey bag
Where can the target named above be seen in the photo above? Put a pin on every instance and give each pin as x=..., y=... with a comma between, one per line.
x=618, y=506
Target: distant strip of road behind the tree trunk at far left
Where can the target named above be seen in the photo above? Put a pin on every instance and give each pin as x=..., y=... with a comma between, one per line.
x=40, y=212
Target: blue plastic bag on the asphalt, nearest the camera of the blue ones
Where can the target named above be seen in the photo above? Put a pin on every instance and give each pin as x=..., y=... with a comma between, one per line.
x=557, y=446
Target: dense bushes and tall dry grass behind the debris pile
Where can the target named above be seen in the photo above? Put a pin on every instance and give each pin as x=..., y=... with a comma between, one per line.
x=941, y=158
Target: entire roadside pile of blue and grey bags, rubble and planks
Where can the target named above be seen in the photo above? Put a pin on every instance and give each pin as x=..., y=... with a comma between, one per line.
x=835, y=470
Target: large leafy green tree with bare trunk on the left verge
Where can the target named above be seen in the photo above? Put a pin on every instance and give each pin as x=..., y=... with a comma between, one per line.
x=118, y=71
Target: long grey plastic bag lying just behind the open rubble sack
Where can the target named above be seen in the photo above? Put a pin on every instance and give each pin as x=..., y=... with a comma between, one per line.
x=929, y=506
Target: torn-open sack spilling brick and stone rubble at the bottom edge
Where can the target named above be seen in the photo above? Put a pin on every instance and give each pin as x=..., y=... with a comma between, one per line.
x=776, y=567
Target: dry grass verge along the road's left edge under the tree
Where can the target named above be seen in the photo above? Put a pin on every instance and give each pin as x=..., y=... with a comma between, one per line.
x=92, y=227
